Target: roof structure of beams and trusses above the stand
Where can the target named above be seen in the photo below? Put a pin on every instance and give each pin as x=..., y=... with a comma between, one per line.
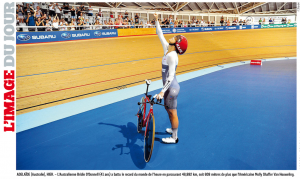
x=207, y=7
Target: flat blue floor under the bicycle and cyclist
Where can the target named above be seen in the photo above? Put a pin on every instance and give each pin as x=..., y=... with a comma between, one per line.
x=243, y=117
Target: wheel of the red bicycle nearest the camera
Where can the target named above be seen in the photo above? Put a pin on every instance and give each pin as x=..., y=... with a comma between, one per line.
x=149, y=138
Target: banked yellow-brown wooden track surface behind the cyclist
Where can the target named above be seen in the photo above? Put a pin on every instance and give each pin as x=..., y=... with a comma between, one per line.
x=54, y=73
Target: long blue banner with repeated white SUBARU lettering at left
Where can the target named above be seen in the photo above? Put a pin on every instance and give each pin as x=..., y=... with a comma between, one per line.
x=54, y=36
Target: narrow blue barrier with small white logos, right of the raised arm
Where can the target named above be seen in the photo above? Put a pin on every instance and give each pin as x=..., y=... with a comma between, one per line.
x=205, y=29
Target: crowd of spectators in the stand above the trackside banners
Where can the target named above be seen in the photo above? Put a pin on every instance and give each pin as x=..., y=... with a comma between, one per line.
x=52, y=16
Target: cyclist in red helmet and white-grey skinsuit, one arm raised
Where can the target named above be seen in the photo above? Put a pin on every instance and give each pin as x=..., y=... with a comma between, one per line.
x=171, y=88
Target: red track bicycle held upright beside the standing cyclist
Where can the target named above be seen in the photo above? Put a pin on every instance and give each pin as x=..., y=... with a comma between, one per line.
x=147, y=121
